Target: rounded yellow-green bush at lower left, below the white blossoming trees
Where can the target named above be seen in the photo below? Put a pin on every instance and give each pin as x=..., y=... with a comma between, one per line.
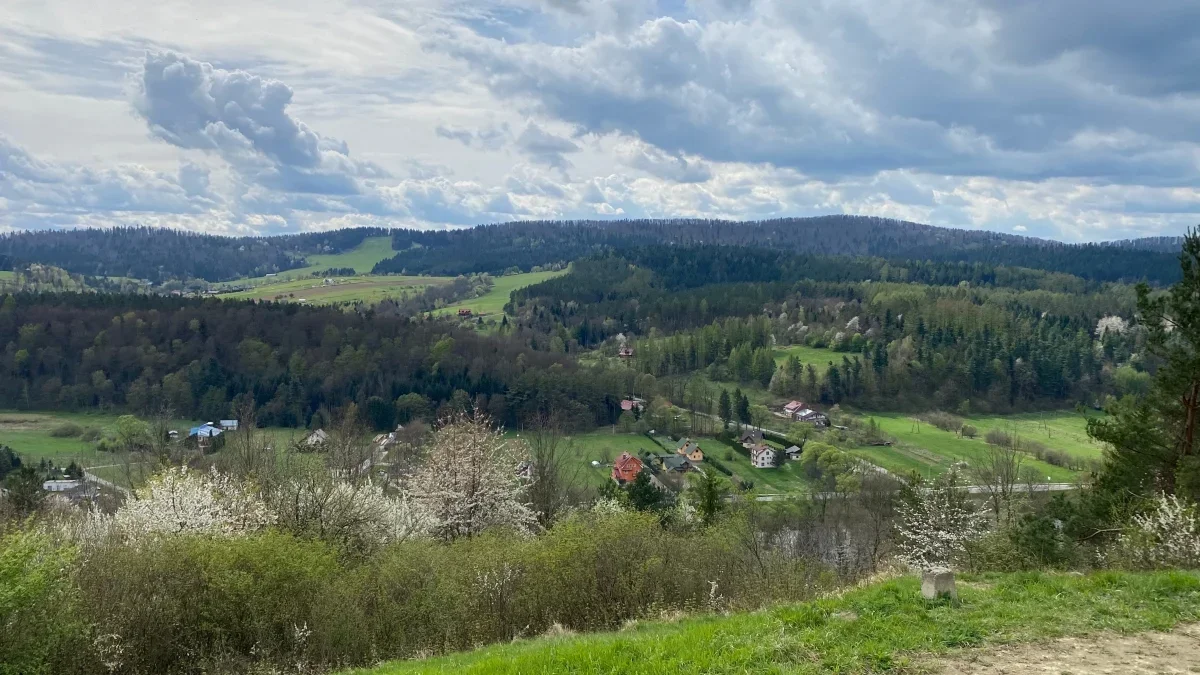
x=215, y=602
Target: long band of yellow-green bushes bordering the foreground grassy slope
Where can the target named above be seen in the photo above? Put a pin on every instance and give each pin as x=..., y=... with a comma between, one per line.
x=206, y=605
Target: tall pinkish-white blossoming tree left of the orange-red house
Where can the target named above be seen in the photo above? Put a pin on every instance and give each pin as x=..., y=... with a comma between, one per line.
x=470, y=480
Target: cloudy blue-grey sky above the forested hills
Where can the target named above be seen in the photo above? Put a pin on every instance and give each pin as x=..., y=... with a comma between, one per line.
x=1073, y=120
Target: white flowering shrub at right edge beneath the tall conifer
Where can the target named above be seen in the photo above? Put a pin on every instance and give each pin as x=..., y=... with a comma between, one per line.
x=1166, y=536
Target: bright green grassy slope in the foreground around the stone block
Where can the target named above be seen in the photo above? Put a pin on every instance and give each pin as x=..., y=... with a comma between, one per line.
x=879, y=629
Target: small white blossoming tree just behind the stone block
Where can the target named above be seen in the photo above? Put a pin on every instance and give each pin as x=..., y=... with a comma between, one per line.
x=935, y=524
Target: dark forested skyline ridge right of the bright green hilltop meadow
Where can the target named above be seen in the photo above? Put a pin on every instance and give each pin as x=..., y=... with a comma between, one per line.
x=524, y=246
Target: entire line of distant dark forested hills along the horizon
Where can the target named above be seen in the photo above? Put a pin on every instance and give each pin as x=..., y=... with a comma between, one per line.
x=160, y=255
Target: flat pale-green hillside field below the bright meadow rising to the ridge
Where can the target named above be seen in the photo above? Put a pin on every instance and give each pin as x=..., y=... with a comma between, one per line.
x=370, y=290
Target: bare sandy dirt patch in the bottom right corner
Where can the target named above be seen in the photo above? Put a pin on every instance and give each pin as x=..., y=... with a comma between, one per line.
x=1147, y=654
